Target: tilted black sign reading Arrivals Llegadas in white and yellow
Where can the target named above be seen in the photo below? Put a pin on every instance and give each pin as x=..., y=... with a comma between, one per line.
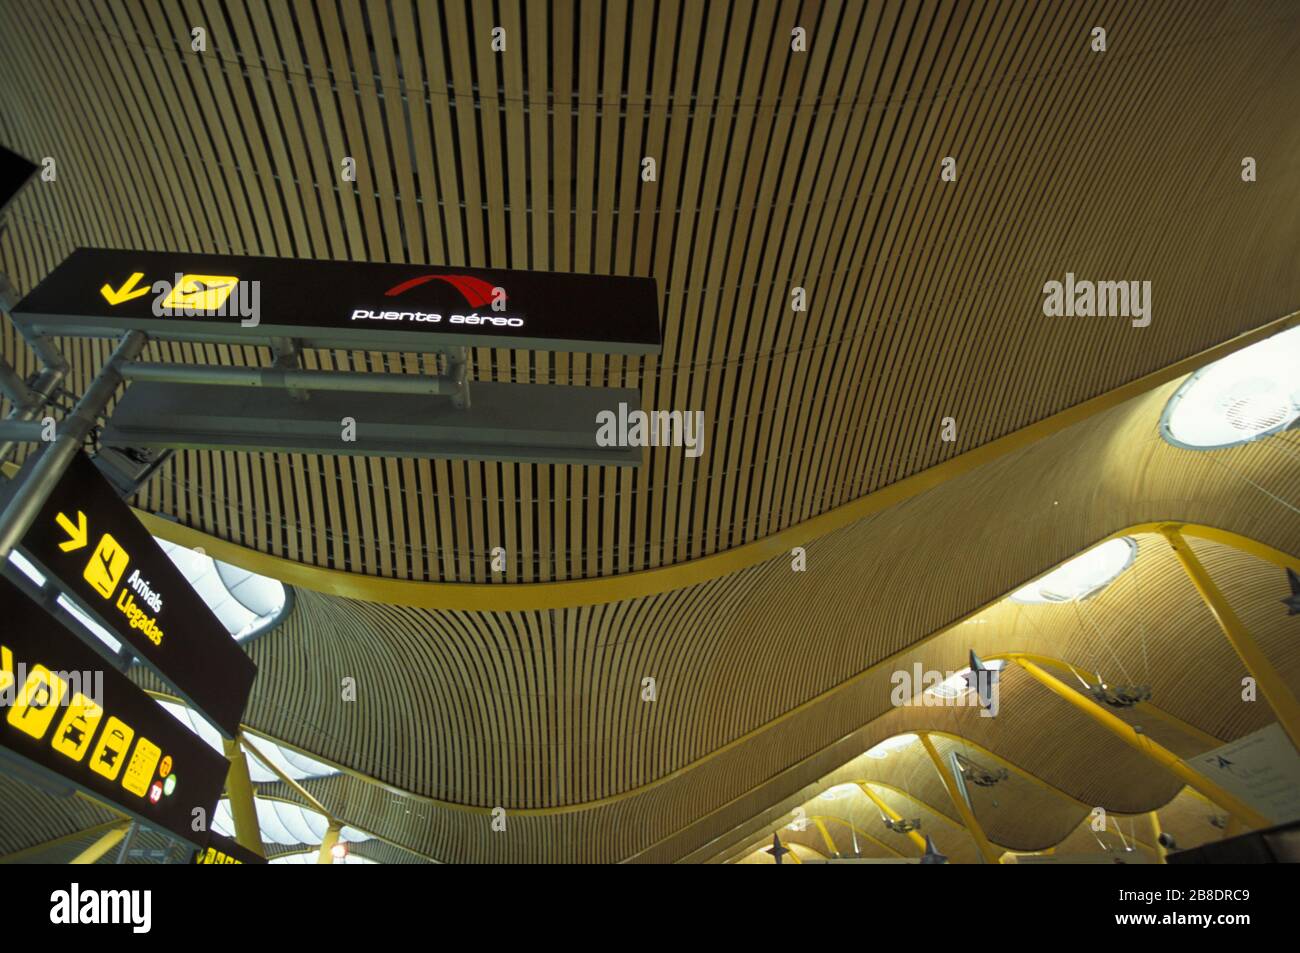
x=89, y=540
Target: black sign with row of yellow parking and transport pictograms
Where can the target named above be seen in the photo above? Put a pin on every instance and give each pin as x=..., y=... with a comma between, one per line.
x=66, y=711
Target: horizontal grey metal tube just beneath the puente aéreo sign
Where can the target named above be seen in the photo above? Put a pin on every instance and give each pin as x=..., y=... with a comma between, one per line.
x=289, y=379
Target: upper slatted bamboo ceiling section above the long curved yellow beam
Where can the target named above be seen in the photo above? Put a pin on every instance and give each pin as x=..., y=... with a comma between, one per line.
x=775, y=170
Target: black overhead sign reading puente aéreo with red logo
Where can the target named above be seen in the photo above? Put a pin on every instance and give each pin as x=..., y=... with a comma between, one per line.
x=226, y=298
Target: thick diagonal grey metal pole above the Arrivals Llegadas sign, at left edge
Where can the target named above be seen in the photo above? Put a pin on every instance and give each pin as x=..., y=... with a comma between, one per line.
x=45, y=474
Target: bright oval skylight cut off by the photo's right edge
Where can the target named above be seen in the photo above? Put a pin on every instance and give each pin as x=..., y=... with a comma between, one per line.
x=1243, y=397
